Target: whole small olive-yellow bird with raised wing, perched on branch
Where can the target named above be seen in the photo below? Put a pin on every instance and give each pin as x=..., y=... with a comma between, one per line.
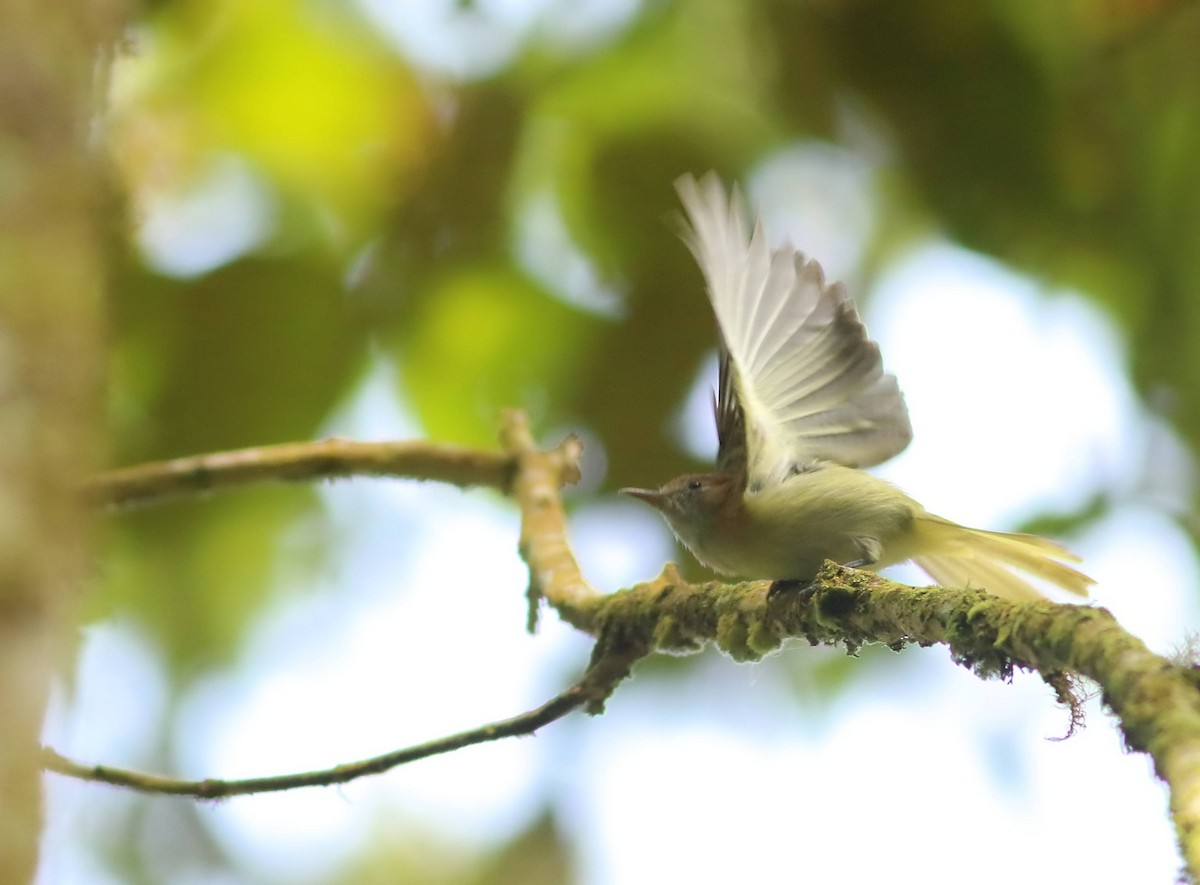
x=802, y=405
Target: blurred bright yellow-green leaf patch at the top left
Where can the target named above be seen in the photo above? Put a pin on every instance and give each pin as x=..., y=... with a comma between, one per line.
x=307, y=92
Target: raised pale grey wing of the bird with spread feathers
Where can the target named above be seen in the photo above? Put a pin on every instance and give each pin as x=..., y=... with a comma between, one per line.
x=803, y=382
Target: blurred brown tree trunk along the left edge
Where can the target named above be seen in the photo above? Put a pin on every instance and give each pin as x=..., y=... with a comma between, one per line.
x=52, y=71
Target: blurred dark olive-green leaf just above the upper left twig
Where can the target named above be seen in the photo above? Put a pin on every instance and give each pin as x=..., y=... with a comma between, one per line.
x=255, y=353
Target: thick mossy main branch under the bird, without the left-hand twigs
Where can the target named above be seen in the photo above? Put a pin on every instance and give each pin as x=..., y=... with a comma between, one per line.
x=1156, y=701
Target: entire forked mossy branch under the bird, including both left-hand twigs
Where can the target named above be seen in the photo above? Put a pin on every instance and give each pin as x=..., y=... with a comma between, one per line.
x=1156, y=701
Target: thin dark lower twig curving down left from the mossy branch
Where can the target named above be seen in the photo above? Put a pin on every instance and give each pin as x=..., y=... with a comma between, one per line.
x=607, y=670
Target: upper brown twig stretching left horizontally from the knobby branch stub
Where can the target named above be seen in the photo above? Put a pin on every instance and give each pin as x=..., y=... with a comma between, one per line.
x=299, y=462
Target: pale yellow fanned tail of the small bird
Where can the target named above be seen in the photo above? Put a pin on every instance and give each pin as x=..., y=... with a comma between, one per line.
x=994, y=561
